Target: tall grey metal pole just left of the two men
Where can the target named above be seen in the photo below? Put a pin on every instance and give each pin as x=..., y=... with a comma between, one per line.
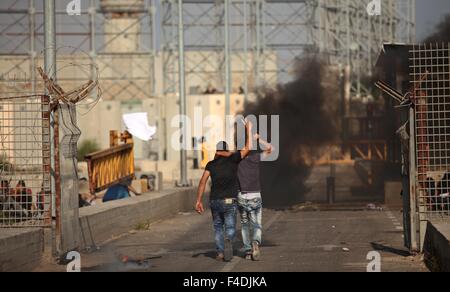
x=183, y=155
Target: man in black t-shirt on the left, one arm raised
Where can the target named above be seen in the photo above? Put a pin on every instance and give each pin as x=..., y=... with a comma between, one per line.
x=223, y=198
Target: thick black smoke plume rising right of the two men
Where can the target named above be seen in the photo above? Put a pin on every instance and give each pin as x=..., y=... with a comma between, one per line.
x=306, y=123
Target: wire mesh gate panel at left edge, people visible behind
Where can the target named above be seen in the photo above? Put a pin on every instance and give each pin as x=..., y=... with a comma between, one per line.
x=25, y=191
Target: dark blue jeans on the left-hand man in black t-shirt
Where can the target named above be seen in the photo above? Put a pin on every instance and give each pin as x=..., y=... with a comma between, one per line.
x=224, y=218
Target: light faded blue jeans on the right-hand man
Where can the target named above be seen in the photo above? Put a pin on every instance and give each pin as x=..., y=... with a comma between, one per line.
x=251, y=221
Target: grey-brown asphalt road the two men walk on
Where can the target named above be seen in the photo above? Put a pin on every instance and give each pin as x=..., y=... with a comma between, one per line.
x=293, y=241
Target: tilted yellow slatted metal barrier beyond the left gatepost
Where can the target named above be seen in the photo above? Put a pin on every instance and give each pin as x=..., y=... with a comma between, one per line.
x=111, y=166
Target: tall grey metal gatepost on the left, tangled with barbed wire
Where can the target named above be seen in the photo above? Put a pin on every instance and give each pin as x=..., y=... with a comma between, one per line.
x=64, y=182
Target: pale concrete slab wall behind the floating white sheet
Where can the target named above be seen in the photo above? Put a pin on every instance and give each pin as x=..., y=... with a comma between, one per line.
x=96, y=123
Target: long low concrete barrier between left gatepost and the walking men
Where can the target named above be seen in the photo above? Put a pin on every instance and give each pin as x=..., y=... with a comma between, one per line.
x=103, y=222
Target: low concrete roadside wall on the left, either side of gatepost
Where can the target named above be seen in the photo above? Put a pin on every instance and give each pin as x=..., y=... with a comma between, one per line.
x=22, y=249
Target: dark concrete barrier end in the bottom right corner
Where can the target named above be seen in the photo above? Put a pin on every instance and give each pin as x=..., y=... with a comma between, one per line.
x=437, y=246
